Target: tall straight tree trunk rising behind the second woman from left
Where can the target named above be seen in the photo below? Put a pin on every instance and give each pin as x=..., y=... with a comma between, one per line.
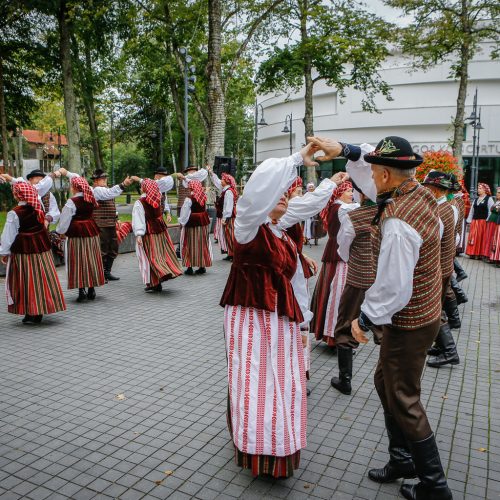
x=70, y=110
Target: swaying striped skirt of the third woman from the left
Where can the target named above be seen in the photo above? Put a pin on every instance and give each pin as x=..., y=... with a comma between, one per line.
x=157, y=259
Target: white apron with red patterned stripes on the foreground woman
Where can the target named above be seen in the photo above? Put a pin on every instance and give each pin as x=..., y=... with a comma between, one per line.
x=267, y=382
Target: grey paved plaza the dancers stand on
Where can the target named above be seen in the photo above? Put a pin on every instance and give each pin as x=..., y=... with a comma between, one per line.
x=125, y=397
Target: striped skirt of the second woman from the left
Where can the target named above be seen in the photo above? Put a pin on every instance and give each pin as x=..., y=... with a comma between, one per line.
x=84, y=262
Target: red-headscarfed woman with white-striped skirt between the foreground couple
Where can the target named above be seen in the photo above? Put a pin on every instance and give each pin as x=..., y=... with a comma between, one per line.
x=331, y=279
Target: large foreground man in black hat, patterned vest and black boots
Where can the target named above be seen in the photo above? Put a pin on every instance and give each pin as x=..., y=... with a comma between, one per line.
x=405, y=301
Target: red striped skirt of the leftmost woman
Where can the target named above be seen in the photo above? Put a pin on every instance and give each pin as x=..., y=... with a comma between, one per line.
x=32, y=285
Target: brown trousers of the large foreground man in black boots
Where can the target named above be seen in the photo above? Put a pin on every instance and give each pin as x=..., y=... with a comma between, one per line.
x=397, y=377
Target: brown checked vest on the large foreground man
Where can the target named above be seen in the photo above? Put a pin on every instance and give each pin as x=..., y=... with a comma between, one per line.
x=416, y=206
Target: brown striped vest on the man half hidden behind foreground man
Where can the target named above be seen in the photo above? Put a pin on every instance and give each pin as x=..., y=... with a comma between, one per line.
x=361, y=271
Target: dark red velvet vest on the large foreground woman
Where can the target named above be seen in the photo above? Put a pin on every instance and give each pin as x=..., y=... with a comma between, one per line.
x=261, y=275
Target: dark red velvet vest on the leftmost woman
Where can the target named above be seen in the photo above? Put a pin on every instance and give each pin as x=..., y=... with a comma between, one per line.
x=33, y=236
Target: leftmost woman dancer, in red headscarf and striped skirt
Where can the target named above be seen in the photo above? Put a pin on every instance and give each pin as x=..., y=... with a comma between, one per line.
x=32, y=285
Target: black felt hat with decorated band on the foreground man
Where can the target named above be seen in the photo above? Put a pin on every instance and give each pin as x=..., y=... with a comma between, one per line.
x=394, y=152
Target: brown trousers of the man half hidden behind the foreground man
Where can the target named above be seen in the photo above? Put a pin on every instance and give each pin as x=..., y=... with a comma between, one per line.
x=349, y=309
